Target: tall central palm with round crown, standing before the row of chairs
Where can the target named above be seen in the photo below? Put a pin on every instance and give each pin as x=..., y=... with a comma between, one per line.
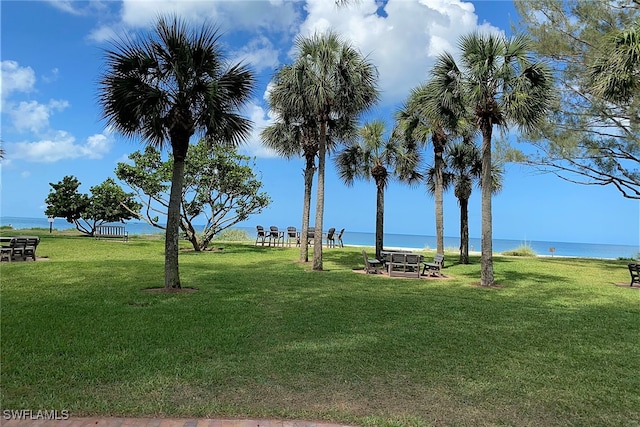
x=337, y=83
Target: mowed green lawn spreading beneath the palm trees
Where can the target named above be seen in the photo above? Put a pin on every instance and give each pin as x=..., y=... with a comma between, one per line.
x=558, y=343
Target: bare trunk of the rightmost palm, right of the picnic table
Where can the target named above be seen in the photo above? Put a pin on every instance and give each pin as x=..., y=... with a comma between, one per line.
x=486, y=271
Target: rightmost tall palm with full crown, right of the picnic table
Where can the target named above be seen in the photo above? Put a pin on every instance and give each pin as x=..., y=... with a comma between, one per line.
x=502, y=85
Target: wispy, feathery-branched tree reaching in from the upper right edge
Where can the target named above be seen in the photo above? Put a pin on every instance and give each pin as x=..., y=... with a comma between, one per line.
x=592, y=137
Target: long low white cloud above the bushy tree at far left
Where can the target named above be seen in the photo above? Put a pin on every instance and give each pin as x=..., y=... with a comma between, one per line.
x=60, y=146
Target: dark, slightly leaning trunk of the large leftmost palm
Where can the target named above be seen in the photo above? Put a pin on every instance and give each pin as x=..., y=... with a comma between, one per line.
x=171, y=270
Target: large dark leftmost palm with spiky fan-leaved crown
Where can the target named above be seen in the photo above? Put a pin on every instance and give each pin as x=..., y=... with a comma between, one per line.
x=168, y=86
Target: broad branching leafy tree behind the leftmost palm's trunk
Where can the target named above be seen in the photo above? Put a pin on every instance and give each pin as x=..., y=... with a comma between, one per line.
x=219, y=185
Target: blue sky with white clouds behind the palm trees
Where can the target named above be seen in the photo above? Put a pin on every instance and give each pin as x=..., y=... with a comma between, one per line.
x=52, y=56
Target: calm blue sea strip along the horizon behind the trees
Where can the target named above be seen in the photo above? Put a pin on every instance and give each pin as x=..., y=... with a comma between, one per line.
x=583, y=250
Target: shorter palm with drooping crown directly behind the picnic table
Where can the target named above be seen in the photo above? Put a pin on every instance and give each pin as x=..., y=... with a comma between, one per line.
x=372, y=157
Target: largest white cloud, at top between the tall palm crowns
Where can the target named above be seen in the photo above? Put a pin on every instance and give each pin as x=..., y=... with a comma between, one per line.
x=403, y=44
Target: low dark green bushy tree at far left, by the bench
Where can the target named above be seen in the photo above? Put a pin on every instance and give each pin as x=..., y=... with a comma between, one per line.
x=108, y=203
